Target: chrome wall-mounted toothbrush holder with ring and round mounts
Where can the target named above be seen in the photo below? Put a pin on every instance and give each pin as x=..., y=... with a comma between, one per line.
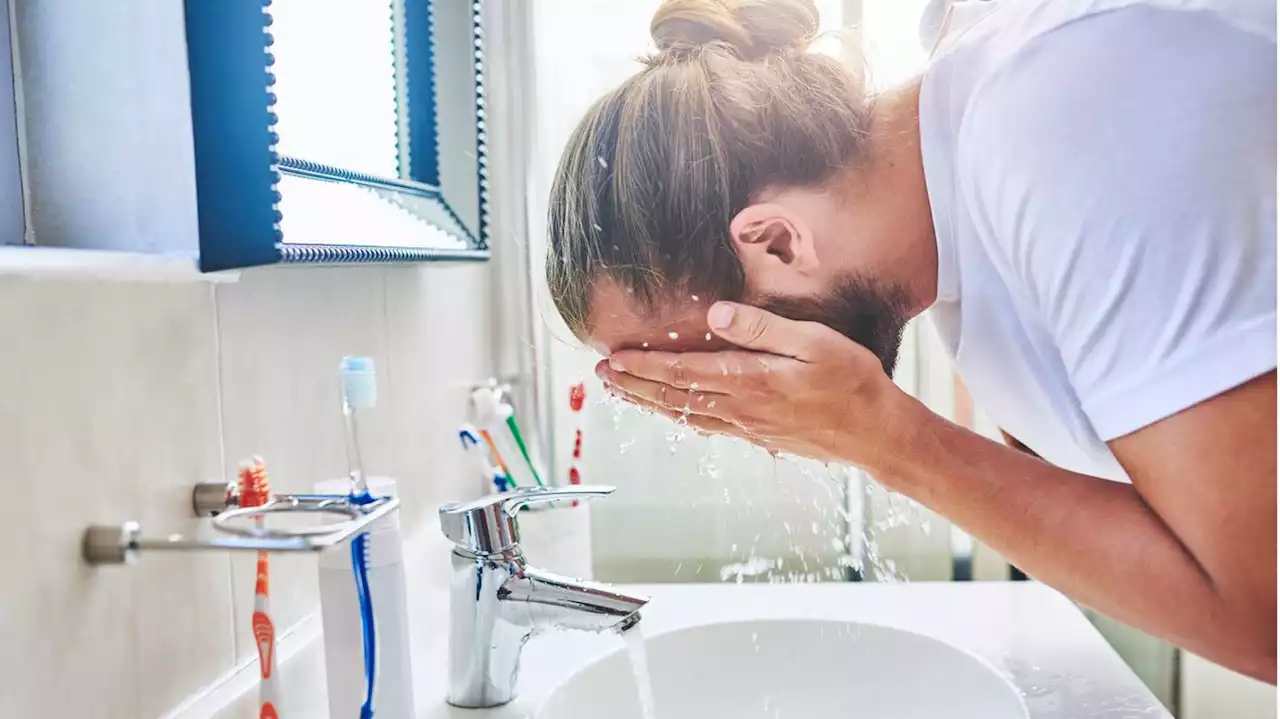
x=121, y=544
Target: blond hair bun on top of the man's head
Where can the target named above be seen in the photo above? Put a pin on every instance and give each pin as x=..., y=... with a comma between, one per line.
x=753, y=29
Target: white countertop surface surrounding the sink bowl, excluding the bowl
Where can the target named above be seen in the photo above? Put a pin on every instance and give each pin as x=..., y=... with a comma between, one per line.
x=1027, y=631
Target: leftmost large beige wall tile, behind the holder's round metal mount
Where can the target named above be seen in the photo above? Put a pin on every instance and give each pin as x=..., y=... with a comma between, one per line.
x=109, y=415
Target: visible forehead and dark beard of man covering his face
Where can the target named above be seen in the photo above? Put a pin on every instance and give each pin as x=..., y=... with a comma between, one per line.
x=870, y=315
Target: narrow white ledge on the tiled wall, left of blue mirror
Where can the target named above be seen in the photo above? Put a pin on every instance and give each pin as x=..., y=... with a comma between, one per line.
x=68, y=264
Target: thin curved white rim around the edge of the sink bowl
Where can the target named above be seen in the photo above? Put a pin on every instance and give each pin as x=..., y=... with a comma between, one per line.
x=552, y=691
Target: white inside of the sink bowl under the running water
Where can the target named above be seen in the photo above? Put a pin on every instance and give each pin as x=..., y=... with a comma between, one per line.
x=784, y=668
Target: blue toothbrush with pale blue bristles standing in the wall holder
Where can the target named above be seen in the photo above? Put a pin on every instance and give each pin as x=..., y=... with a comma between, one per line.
x=360, y=392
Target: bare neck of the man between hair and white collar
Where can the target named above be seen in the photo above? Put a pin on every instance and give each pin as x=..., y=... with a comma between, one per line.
x=895, y=184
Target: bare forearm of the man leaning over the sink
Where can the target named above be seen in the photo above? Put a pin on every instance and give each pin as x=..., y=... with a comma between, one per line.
x=1094, y=539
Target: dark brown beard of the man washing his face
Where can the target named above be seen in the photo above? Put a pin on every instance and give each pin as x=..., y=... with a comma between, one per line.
x=872, y=317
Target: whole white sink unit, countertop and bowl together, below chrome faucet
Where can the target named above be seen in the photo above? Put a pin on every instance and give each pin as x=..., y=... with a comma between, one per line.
x=952, y=651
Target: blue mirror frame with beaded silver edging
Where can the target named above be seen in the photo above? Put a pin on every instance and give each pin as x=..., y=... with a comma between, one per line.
x=237, y=167
